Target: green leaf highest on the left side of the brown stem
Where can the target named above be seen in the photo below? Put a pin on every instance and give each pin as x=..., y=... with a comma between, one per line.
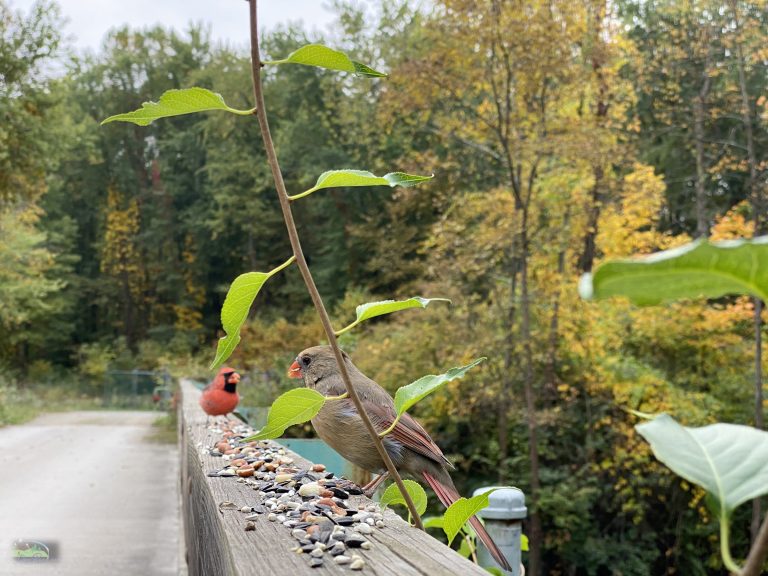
x=175, y=103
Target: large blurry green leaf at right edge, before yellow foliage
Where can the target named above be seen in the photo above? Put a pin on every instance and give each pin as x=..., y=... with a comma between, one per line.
x=701, y=268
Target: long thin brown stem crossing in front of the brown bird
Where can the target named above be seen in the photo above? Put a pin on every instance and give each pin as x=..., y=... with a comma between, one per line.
x=285, y=205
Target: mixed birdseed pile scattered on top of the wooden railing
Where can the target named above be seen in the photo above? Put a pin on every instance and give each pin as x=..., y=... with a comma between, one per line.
x=312, y=504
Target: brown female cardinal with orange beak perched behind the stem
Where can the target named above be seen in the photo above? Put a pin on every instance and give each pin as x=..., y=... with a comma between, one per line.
x=409, y=446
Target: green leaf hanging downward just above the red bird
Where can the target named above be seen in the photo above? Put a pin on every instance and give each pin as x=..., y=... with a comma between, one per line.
x=235, y=310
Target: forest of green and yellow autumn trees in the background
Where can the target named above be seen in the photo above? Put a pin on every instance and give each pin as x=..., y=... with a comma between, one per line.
x=560, y=133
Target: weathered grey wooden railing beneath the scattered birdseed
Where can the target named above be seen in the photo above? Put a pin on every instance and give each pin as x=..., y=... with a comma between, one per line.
x=217, y=543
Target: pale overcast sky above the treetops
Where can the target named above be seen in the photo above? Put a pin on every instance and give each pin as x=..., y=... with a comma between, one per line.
x=89, y=20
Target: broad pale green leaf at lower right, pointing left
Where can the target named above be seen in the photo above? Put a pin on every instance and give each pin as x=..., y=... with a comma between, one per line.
x=728, y=460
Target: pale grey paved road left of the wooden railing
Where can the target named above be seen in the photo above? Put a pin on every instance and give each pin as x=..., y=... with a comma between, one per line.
x=91, y=482
